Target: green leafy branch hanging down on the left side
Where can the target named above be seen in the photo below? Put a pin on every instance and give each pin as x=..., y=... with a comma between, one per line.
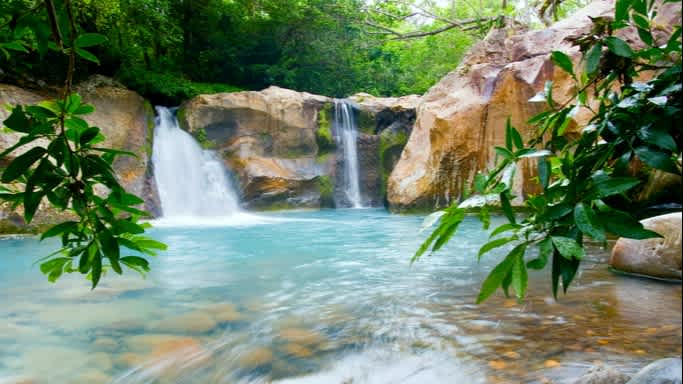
x=61, y=163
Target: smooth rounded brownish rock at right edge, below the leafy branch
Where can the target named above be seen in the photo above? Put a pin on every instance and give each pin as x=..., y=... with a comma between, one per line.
x=658, y=257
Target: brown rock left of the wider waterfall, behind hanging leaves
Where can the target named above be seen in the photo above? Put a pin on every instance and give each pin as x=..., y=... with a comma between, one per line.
x=125, y=119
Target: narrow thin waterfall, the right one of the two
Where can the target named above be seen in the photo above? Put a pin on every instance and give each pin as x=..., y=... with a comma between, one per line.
x=346, y=135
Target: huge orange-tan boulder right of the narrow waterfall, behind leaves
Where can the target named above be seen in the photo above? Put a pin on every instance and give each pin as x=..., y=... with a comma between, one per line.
x=463, y=117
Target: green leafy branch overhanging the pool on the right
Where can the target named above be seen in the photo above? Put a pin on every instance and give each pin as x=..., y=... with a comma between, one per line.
x=582, y=179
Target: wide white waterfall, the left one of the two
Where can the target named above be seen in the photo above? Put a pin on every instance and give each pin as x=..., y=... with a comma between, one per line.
x=191, y=181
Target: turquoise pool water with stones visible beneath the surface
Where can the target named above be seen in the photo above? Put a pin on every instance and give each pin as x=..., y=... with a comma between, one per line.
x=321, y=297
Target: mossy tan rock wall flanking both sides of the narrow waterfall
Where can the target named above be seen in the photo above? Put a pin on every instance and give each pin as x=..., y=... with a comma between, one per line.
x=280, y=143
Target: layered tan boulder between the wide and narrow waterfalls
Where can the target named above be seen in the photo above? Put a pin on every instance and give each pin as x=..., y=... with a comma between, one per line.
x=269, y=139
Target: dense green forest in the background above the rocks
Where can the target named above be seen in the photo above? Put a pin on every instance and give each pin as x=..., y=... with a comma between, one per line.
x=170, y=50
